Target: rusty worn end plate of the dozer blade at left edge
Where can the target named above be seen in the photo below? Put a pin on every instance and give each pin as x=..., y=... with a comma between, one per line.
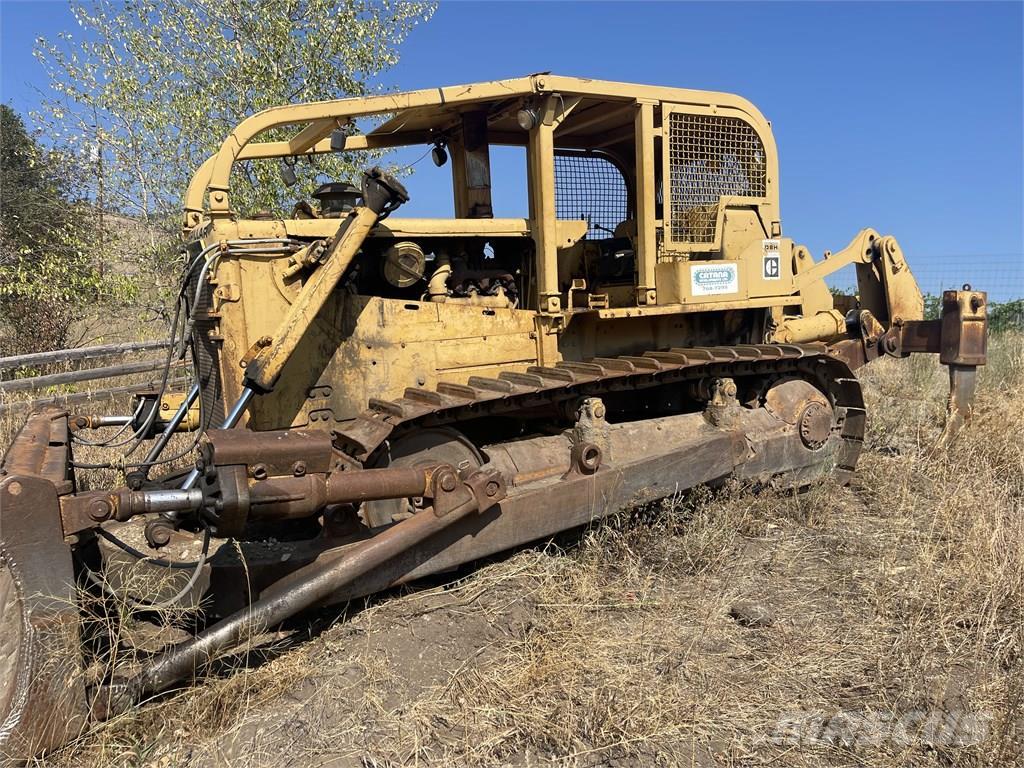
x=42, y=693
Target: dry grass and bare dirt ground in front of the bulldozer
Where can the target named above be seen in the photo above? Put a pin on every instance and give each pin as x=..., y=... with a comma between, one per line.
x=876, y=625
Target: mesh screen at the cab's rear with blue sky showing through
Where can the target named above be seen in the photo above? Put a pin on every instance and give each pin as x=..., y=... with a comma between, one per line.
x=590, y=188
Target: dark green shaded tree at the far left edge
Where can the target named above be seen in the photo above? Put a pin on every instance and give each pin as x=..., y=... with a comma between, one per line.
x=49, y=270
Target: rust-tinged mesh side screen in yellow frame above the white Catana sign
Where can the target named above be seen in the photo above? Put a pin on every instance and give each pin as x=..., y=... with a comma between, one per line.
x=710, y=157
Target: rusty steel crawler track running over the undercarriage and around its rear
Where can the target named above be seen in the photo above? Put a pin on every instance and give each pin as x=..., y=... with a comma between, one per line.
x=513, y=391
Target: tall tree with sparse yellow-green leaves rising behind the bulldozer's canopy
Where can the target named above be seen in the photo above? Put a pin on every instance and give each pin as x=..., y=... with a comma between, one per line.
x=155, y=88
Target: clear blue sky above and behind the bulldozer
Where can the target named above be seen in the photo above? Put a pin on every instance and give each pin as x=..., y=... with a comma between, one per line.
x=905, y=117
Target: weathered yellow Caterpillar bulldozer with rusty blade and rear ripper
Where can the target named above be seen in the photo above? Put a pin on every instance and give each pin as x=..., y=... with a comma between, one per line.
x=379, y=399
